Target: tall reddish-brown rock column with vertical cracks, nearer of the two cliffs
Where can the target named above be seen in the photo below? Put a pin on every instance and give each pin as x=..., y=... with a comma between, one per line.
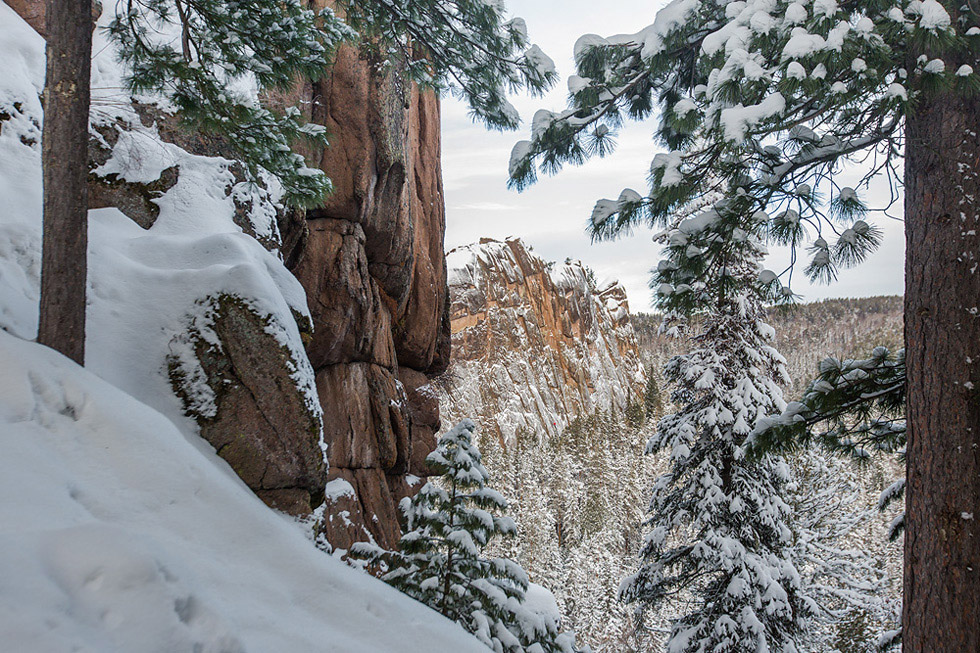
x=375, y=275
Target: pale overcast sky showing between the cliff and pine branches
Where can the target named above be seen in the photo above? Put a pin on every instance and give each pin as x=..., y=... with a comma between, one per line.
x=551, y=215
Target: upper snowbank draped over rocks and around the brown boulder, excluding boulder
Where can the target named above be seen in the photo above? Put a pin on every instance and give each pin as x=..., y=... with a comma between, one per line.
x=146, y=286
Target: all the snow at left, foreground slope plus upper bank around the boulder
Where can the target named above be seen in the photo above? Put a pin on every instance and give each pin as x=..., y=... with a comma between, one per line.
x=120, y=529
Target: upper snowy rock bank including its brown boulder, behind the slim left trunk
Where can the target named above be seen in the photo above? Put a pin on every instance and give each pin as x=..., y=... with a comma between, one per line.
x=178, y=239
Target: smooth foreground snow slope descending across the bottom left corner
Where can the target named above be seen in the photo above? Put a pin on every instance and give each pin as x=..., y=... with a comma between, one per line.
x=116, y=534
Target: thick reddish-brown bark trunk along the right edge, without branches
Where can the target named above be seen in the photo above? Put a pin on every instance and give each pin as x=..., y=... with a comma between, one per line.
x=942, y=338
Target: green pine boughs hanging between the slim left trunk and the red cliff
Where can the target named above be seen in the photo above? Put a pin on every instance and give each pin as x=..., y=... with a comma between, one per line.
x=203, y=55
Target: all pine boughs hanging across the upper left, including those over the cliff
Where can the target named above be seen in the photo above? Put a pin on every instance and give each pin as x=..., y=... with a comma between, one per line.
x=206, y=58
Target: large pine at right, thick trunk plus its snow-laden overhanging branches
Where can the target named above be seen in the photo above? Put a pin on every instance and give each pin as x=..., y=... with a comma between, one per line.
x=765, y=102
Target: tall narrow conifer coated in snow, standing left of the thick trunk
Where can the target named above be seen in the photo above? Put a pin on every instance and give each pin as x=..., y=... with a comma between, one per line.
x=720, y=540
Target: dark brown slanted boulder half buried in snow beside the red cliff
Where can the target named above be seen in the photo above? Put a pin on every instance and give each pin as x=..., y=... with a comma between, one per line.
x=260, y=422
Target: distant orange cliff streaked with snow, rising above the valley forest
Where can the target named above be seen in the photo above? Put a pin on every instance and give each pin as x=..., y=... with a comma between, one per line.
x=535, y=344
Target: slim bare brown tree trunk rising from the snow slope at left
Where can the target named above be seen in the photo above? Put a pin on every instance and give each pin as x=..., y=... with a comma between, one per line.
x=65, y=161
